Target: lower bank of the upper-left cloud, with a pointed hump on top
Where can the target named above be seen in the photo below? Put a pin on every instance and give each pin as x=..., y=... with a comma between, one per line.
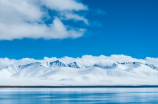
x=56, y=30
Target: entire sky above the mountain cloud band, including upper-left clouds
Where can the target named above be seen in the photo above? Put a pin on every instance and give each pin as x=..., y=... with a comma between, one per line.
x=57, y=28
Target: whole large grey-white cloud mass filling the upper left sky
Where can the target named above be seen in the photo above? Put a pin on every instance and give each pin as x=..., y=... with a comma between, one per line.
x=25, y=19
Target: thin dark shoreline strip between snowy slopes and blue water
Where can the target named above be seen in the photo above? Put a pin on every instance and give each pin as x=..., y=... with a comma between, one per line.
x=74, y=86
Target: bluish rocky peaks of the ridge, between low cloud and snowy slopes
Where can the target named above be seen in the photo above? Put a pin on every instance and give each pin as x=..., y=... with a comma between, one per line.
x=59, y=64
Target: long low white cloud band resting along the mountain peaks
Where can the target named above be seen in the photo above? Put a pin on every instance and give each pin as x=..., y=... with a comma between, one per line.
x=86, y=60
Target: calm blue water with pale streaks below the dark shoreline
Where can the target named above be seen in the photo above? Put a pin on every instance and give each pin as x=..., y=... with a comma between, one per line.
x=88, y=95
